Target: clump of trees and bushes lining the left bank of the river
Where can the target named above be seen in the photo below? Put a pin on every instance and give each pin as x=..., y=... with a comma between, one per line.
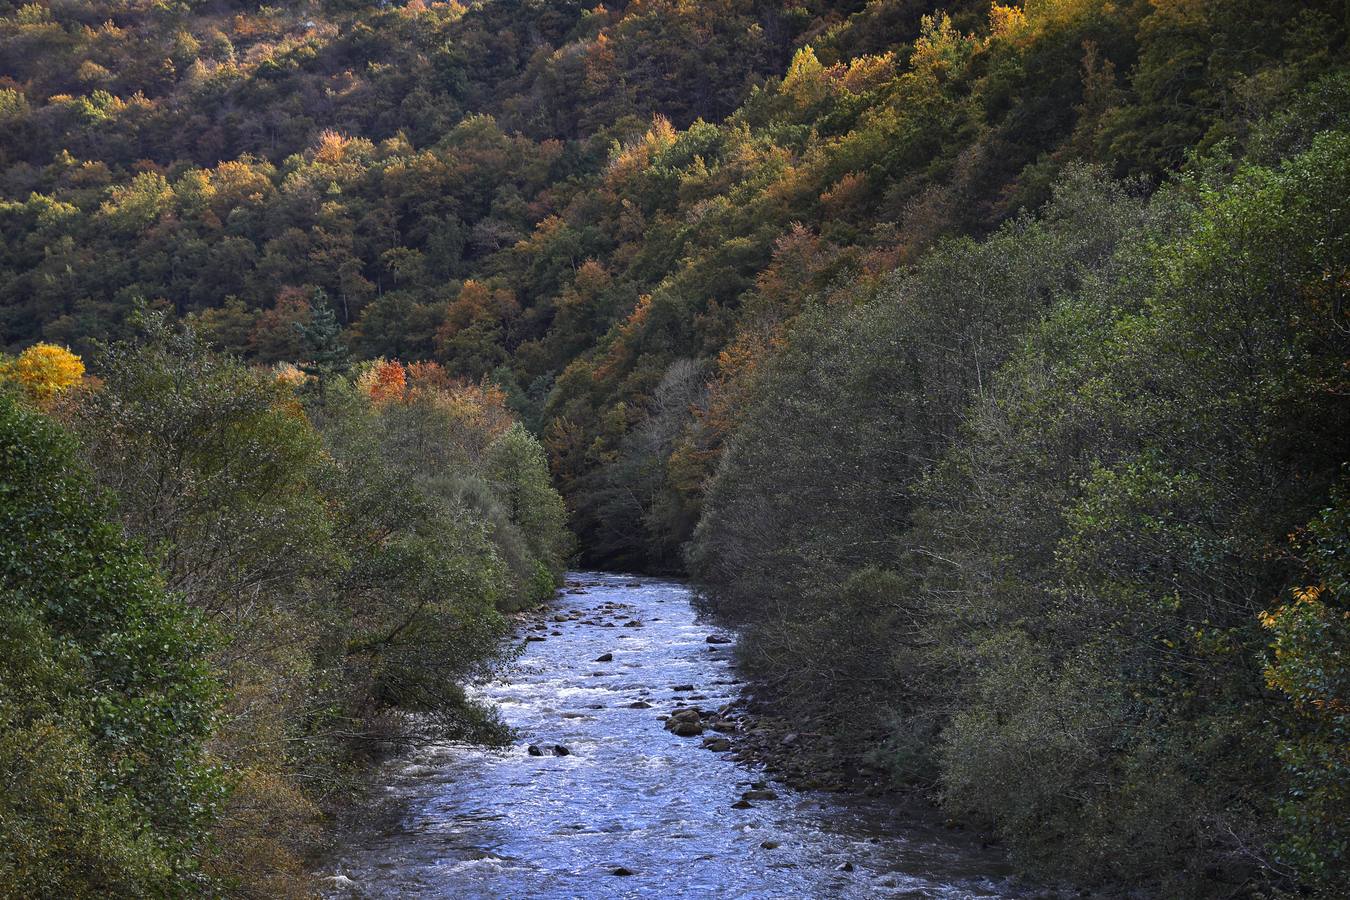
x=287, y=570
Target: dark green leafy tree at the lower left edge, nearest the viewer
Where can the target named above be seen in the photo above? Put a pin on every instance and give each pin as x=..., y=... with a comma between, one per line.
x=105, y=694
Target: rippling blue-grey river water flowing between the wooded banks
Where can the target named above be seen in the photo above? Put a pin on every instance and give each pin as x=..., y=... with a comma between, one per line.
x=465, y=822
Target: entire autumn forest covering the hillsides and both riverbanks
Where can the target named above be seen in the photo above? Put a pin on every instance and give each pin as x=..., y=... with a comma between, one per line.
x=986, y=364
